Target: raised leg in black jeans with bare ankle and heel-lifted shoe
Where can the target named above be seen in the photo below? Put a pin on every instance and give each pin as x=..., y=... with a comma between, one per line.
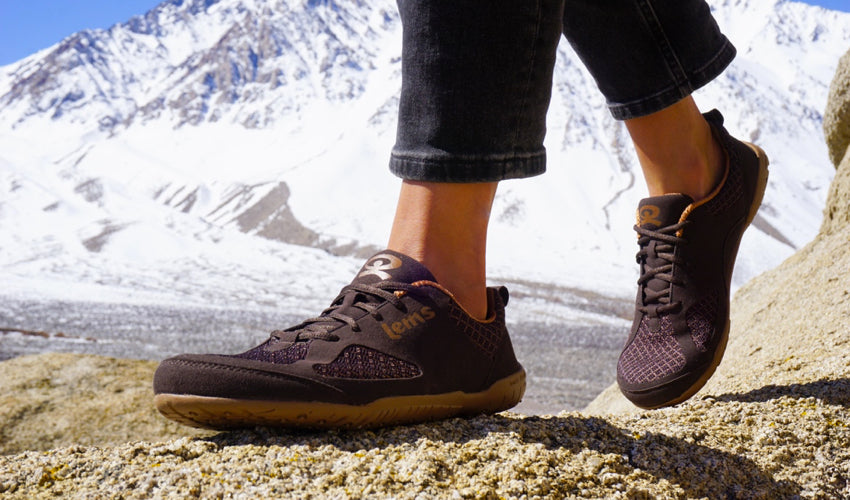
x=705, y=186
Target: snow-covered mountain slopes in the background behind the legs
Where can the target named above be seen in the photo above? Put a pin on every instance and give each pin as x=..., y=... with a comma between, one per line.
x=234, y=152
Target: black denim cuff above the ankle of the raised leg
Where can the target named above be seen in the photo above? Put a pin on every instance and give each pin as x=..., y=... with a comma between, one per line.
x=678, y=91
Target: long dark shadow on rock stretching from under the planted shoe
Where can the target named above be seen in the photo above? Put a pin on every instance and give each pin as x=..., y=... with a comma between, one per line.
x=699, y=470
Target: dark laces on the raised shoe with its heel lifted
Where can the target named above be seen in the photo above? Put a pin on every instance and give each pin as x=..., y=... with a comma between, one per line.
x=657, y=277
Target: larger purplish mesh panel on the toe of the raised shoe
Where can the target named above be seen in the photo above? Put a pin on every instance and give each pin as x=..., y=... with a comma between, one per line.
x=651, y=356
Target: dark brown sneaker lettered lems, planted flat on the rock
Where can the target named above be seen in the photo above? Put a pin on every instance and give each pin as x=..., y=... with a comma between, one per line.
x=393, y=347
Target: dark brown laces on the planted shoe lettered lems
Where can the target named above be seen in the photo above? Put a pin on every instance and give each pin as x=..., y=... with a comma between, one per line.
x=352, y=298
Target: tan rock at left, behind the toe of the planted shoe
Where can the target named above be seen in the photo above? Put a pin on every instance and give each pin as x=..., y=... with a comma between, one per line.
x=54, y=400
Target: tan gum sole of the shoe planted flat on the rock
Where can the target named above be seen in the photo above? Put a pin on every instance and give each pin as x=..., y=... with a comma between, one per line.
x=223, y=413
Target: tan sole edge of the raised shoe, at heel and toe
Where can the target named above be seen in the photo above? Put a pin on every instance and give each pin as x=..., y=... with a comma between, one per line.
x=652, y=395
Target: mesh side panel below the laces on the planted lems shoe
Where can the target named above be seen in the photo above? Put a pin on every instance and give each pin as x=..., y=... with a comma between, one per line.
x=360, y=362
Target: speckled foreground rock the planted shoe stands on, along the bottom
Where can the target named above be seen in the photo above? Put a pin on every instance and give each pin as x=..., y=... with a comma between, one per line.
x=774, y=442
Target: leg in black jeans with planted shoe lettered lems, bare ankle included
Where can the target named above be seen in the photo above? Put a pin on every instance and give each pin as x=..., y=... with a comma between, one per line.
x=397, y=345
